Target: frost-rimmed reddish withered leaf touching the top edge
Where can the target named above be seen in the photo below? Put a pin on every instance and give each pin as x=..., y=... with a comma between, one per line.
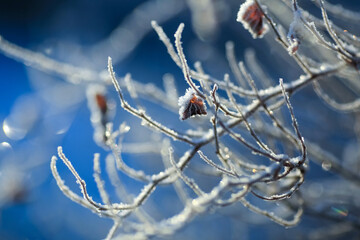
x=252, y=18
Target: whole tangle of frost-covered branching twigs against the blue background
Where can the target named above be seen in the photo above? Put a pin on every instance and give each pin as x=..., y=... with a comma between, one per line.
x=255, y=153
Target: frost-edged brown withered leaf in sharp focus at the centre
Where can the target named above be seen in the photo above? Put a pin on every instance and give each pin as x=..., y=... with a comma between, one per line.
x=191, y=104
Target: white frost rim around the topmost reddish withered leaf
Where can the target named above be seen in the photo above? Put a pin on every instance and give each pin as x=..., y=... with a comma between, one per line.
x=249, y=25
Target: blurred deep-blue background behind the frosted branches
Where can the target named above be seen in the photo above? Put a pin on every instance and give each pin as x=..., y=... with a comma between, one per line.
x=41, y=110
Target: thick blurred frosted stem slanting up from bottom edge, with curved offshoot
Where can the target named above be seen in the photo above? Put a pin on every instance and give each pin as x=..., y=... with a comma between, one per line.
x=209, y=200
